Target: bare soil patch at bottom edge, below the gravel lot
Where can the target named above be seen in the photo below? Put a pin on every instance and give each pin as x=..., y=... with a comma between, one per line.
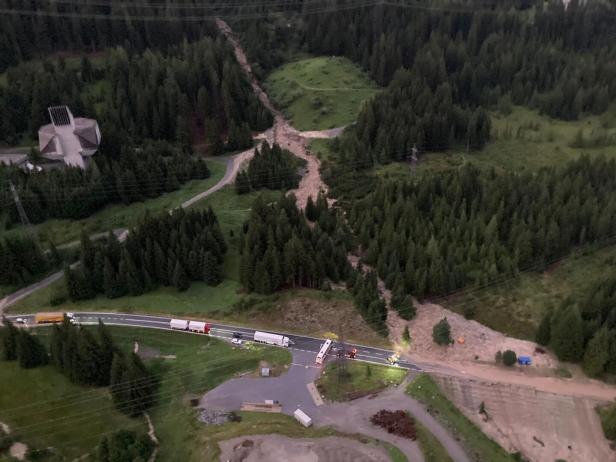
x=274, y=447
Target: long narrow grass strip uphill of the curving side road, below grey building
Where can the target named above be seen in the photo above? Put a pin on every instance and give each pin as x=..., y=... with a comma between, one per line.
x=120, y=215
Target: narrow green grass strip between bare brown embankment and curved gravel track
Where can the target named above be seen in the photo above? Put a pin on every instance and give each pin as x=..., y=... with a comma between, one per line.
x=424, y=389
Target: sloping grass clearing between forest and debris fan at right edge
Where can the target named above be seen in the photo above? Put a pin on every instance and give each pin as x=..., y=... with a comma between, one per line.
x=517, y=306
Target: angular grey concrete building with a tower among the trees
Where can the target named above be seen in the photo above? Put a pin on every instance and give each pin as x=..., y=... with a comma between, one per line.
x=69, y=139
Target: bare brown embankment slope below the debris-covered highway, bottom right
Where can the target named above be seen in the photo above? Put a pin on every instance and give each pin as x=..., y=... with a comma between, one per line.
x=543, y=426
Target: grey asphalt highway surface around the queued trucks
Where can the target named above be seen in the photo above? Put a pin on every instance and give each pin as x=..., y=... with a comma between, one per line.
x=299, y=342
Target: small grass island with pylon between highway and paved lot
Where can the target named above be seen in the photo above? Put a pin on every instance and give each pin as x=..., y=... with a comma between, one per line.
x=362, y=379
